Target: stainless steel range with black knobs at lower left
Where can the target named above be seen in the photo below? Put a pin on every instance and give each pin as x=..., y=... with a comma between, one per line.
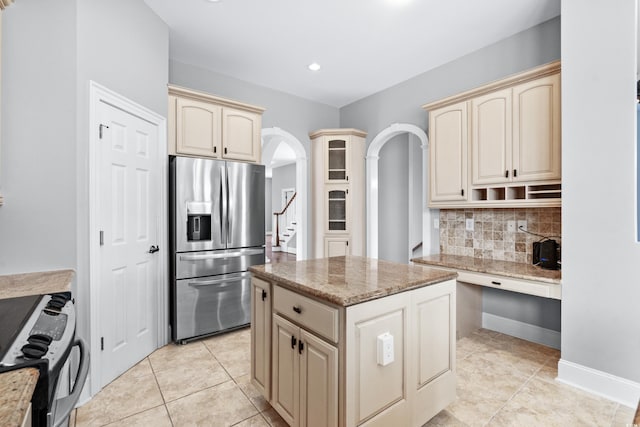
x=39, y=331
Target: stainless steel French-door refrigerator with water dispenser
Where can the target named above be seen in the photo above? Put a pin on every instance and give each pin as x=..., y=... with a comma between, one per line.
x=217, y=233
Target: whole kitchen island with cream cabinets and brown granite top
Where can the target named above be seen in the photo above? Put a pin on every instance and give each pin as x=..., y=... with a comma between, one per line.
x=345, y=341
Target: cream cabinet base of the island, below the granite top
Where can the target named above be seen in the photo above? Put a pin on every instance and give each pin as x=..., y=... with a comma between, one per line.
x=325, y=365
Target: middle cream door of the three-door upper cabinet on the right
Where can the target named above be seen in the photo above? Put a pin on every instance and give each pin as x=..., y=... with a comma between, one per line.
x=491, y=138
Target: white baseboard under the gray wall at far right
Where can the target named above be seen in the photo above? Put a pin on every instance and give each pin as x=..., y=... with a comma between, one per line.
x=600, y=383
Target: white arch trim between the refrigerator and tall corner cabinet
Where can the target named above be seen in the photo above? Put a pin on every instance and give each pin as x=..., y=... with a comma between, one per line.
x=271, y=137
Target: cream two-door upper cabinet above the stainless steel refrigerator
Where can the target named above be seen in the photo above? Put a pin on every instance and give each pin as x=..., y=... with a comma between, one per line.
x=204, y=125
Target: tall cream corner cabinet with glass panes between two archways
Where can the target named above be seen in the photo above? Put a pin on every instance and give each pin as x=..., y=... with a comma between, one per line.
x=337, y=182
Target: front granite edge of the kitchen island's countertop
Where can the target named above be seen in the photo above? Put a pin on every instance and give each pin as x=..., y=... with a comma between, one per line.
x=326, y=295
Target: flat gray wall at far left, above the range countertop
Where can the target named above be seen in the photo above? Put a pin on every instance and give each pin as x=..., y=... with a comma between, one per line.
x=38, y=158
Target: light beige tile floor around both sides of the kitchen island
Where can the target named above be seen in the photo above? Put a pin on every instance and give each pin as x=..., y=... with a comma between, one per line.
x=502, y=381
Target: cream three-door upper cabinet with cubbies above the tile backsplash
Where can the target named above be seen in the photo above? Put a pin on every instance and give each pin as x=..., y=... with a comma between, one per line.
x=511, y=155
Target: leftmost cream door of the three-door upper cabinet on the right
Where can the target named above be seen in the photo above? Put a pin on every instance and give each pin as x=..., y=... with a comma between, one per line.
x=448, y=153
